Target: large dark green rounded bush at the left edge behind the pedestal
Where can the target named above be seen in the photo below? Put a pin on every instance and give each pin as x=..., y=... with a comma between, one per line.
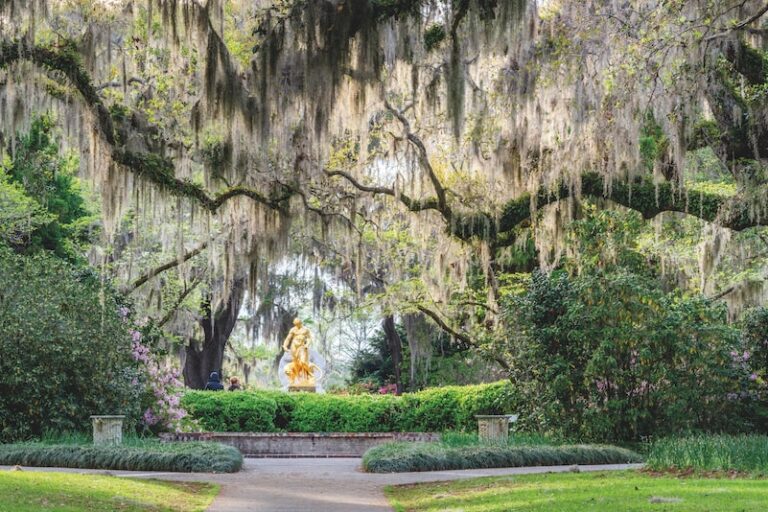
x=65, y=351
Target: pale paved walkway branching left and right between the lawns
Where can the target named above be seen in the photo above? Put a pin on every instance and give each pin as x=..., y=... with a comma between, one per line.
x=317, y=485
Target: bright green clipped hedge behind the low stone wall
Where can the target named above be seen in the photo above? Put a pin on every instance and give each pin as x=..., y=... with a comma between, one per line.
x=432, y=410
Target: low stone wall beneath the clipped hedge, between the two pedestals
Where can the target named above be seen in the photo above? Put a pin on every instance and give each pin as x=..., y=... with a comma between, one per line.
x=295, y=444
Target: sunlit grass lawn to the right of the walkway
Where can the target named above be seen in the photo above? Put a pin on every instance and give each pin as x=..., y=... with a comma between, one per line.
x=627, y=491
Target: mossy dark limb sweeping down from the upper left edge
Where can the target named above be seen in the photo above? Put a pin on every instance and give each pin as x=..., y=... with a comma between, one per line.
x=151, y=166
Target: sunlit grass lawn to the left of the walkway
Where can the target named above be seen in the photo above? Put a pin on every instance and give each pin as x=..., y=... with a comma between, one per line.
x=27, y=491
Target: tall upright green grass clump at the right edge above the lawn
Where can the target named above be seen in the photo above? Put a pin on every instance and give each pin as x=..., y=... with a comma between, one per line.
x=711, y=453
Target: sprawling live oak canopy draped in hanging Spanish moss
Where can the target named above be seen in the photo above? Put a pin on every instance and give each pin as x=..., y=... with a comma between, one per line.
x=471, y=125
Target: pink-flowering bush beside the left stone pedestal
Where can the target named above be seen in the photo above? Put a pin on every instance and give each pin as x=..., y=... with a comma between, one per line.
x=160, y=383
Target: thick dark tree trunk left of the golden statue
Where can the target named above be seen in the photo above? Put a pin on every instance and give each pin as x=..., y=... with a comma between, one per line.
x=207, y=358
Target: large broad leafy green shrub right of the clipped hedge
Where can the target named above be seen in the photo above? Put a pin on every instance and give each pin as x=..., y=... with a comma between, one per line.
x=611, y=356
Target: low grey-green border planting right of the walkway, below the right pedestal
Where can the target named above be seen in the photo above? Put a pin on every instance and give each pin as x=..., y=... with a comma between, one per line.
x=402, y=457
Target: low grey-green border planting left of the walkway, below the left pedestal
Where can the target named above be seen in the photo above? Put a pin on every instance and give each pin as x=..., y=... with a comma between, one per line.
x=181, y=457
